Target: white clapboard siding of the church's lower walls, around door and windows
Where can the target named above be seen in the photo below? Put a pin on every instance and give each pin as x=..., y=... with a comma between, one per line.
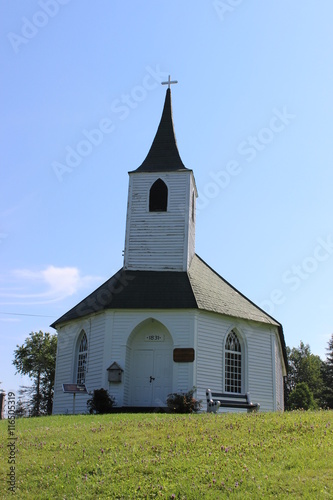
x=110, y=337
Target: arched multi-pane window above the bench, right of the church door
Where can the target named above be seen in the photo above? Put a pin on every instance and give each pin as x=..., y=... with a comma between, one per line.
x=233, y=364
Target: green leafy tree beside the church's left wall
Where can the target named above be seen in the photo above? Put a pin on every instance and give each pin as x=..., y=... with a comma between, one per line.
x=36, y=358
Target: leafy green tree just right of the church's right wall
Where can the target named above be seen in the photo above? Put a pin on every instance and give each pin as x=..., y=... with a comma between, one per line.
x=303, y=366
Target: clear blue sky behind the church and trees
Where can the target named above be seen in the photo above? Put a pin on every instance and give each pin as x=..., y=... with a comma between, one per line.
x=253, y=119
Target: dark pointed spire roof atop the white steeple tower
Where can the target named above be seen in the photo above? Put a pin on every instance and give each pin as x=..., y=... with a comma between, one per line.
x=163, y=155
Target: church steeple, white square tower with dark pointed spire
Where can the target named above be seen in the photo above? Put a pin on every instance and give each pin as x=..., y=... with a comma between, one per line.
x=160, y=226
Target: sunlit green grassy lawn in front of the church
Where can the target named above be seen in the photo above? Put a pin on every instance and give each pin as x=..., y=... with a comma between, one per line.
x=172, y=456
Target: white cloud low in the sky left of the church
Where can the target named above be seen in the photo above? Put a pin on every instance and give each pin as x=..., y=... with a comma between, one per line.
x=51, y=284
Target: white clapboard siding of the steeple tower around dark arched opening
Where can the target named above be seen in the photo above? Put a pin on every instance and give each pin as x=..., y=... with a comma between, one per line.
x=159, y=240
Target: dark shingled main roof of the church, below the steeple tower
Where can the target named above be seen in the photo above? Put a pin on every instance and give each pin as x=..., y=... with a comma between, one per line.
x=200, y=288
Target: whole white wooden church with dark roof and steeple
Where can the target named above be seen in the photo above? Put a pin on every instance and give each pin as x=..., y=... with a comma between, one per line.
x=166, y=321
